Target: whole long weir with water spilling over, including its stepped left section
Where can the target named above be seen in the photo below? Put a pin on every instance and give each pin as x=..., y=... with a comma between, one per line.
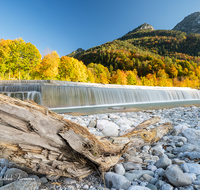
x=57, y=94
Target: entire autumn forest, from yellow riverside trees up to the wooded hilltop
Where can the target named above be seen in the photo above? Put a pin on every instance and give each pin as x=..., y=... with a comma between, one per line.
x=141, y=57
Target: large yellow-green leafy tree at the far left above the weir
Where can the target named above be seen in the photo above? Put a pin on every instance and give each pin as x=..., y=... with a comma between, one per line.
x=18, y=59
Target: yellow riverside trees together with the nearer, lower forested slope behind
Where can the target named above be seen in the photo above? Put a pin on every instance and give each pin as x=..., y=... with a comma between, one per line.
x=115, y=62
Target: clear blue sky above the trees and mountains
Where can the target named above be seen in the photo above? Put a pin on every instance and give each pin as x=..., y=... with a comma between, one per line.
x=66, y=25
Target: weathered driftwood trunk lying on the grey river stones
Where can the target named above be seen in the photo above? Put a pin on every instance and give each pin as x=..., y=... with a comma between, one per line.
x=36, y=138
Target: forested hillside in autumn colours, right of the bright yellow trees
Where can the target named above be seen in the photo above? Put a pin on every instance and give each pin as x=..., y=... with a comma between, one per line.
x=157, y=57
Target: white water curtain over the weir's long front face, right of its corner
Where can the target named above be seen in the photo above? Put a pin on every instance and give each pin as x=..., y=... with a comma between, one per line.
x=76, y=96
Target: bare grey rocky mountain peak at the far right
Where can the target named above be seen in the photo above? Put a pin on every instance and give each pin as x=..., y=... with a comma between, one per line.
x=190, y=24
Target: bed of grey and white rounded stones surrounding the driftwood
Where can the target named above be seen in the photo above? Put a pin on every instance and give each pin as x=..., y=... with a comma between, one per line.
x=170, y=164
